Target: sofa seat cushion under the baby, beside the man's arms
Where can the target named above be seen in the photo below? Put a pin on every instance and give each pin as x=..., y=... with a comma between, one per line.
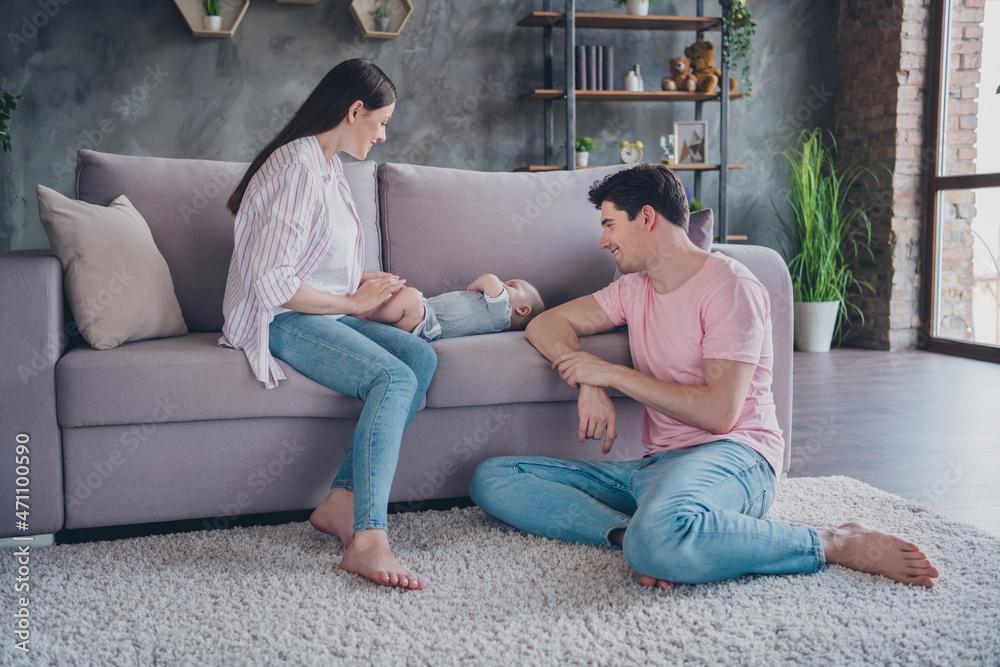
x=495, y=369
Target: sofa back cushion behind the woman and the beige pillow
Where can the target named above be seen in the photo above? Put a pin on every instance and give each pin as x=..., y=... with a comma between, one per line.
x=183, y=201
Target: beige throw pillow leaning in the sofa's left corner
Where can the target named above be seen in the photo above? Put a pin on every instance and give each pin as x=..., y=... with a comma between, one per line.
x=116, y=281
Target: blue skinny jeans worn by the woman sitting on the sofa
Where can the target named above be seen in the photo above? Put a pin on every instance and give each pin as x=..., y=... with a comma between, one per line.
x=386, y=368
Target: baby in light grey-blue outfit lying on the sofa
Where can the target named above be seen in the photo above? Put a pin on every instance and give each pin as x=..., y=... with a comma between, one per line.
x=488, y=305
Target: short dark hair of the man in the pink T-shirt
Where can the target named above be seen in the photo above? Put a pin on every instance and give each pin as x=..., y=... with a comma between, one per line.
x=653, y=184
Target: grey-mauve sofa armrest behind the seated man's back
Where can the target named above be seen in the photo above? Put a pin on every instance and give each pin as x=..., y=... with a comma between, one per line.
x=770, y=269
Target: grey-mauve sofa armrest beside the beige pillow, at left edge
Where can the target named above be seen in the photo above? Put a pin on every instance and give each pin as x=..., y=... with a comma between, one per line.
x=33, y=338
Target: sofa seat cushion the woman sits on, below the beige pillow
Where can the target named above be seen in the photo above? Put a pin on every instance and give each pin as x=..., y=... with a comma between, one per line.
x=181, y=379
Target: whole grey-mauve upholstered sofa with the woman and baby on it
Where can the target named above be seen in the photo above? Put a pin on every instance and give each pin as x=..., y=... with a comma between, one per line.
x=178, y=428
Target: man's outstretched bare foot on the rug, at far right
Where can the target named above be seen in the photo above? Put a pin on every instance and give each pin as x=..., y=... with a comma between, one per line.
x=859, y=548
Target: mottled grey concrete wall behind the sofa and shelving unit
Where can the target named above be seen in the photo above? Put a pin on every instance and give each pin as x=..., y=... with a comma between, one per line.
x=128, y=77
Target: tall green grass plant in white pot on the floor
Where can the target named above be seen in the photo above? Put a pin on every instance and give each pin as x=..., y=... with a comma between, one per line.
x=827, y=231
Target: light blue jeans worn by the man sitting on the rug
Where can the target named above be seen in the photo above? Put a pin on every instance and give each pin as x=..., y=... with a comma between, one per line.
x=691, y=516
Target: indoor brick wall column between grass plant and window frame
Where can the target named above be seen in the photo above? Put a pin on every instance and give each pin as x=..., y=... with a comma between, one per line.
x=880, y=118
